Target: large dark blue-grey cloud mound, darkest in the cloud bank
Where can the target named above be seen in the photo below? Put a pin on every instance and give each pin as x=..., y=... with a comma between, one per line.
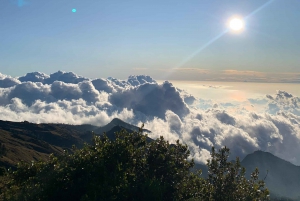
x=151, y=99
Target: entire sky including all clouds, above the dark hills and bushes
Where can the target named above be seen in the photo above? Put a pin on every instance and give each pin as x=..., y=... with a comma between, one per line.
x=172, y=65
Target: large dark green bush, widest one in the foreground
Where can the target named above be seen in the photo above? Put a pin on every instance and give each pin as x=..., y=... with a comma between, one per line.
x=128, y=168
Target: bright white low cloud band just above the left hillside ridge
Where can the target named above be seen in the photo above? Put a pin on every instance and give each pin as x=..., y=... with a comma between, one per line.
x=70, y=112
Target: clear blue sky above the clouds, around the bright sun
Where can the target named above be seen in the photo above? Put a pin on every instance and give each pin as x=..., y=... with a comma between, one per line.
x=119, y=38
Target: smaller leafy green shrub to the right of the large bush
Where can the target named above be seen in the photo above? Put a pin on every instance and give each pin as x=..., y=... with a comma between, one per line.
x=227, y=180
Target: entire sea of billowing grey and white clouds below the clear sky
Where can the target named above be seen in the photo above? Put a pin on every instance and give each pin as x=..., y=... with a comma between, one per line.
x=64, y=97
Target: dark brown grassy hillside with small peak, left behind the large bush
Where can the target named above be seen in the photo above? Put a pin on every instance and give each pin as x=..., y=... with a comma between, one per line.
x=27, y=141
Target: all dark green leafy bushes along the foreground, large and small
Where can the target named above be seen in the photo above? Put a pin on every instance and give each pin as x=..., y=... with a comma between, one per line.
x=131, y=168
